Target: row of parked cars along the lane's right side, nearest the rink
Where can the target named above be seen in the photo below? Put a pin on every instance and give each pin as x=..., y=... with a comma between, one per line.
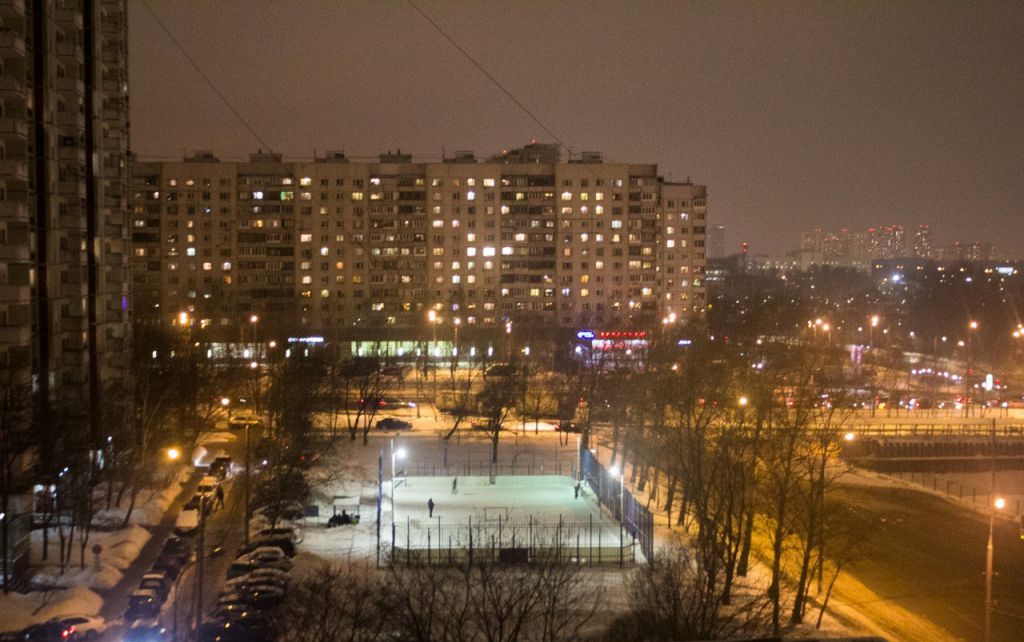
x=258, y=584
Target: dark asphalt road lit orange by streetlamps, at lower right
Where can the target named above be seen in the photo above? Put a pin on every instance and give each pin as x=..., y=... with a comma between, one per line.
x=928, y=558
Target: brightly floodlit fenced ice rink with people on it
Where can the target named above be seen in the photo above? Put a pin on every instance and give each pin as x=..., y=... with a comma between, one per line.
x=501, y=520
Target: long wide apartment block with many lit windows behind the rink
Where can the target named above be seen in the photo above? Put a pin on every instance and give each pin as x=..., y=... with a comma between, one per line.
x=335, y=247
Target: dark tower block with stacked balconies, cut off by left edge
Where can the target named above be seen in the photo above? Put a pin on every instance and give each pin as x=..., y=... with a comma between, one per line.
x=64, y=234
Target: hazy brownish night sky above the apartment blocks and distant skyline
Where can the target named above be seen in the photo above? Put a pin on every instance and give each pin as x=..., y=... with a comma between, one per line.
x=796, y=115
